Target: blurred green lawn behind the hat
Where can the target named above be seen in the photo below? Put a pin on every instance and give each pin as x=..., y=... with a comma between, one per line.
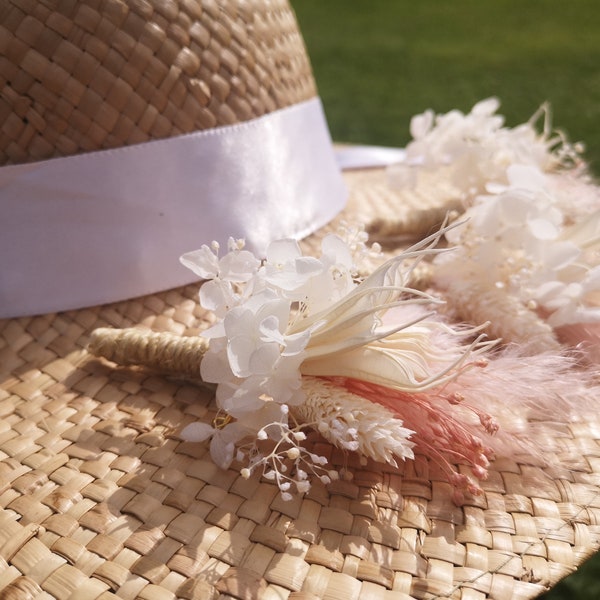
x=377, y=63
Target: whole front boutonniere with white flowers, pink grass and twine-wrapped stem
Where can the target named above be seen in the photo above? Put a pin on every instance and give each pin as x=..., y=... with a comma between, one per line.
x=366, y=361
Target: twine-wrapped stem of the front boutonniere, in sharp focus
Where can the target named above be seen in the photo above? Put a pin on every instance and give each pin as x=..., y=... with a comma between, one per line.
x=162, y=351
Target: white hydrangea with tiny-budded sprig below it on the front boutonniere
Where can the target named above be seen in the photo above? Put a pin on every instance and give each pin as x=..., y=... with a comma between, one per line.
x=267, y=312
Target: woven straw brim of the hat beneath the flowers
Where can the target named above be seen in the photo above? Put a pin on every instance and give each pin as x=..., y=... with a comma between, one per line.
x=99, y=499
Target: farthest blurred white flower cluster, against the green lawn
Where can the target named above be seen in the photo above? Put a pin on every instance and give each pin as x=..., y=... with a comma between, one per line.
x=471, y=150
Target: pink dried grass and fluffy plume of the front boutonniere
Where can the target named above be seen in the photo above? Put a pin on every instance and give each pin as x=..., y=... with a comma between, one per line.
x=510, y=405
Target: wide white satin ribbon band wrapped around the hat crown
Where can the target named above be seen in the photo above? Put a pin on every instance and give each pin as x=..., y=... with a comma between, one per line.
x=110, y=225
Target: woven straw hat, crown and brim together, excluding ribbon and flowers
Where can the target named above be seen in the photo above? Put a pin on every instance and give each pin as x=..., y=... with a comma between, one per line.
x=100, y=497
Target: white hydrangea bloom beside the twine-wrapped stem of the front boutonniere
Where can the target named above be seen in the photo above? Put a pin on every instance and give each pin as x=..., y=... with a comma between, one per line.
x=255, y=351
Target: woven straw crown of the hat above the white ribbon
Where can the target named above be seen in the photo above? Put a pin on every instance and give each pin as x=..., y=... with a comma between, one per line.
x=87, y=75
